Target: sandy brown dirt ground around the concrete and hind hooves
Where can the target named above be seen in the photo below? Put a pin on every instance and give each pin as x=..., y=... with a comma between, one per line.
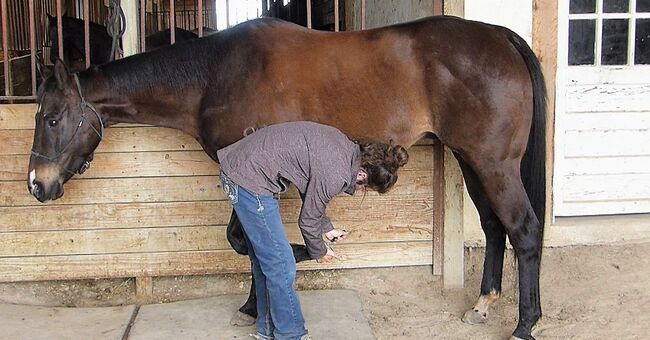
x=595, y=292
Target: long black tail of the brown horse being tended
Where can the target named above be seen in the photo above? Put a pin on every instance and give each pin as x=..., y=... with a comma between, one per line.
x=533, y=165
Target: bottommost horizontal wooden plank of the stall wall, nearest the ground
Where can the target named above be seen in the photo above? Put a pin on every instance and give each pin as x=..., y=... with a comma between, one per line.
x=197, y=262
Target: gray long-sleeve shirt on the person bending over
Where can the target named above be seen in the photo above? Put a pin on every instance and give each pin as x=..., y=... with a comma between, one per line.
x=318, y=159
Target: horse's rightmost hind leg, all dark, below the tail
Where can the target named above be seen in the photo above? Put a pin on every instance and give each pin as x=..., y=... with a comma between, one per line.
x=501, y=181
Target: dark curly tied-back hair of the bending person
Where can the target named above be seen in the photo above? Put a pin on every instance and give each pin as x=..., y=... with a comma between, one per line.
x=381, y=161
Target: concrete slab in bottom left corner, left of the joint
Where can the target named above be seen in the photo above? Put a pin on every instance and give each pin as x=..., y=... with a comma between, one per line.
x=35, y=323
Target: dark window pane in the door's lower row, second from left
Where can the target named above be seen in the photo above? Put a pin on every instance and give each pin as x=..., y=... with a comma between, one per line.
x=614, y=50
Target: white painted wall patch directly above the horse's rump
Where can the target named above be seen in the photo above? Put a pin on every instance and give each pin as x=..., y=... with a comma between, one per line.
x=517, y=15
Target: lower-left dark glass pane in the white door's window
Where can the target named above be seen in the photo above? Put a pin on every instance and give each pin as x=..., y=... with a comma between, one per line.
x=582, y=36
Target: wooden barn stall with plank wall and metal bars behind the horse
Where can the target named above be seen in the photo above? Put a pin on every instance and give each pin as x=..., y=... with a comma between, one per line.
x=151, y=205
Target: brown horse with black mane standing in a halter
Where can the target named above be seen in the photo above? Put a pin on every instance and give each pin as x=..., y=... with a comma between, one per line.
x=477, y=87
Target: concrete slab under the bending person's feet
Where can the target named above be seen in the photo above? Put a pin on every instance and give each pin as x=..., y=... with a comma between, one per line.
x=329, y=314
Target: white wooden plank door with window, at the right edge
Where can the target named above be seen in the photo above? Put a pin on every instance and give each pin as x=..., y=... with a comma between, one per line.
x=602, y=136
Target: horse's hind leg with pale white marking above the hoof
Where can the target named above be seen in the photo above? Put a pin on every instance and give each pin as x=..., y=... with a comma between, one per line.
x=495, y=237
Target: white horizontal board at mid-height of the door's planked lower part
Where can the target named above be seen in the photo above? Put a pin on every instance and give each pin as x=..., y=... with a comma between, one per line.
x=599, y=143
